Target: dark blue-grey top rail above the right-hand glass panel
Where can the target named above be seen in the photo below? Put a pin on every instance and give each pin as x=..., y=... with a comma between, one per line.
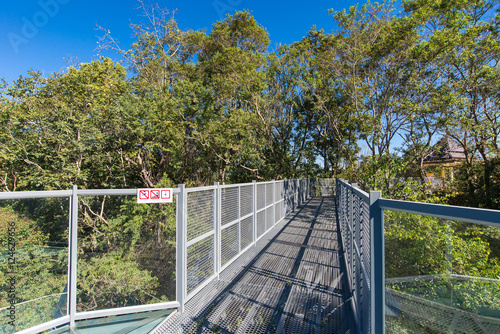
x=450, y=212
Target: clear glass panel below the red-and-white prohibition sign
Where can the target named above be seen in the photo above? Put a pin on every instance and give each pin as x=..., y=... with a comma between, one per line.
x=126, y=253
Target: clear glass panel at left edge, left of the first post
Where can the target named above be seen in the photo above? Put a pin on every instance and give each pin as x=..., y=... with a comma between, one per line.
x=33, y=262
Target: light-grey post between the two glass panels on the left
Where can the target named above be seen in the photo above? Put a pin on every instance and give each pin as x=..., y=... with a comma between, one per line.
x=73, y=251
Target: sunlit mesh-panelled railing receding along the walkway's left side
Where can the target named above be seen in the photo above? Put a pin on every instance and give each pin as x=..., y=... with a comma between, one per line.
x=217, y=224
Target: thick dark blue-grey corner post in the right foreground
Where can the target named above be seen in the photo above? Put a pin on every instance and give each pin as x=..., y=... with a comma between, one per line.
x=377, y=256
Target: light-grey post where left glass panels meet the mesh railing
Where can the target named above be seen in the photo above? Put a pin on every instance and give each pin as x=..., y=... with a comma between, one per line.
x=181, y=251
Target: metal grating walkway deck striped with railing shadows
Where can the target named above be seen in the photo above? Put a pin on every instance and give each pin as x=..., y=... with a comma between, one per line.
x=291, y=282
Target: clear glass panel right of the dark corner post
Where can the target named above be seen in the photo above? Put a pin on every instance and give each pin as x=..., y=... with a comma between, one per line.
x=441, y=276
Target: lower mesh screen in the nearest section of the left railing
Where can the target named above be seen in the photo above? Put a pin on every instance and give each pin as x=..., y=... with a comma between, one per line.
x=200, y=262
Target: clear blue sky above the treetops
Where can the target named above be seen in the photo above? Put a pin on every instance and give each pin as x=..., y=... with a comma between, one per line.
x=41, y=34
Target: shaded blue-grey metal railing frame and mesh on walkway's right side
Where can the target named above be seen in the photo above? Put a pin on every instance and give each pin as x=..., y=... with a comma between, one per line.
x=350, y=200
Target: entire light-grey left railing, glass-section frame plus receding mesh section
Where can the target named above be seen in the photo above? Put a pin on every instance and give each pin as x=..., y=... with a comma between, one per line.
x=246, y=211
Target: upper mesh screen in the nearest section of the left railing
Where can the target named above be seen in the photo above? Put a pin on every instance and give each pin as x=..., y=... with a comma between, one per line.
x=200, y=213
